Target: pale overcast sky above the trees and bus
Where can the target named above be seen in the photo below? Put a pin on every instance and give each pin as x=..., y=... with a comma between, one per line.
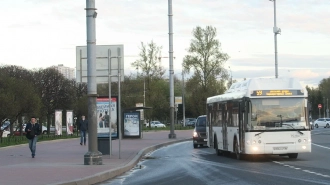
x=42, y=33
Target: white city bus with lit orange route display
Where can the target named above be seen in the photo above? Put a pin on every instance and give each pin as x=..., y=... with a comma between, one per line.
x=260, y=116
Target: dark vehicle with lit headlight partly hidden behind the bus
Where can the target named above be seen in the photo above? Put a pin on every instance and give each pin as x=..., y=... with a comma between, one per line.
x=199, y=135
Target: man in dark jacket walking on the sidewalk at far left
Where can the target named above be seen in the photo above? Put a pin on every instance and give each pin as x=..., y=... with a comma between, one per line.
x=32, y=131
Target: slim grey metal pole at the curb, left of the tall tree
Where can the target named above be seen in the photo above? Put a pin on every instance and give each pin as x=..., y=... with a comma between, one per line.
x=170, y=15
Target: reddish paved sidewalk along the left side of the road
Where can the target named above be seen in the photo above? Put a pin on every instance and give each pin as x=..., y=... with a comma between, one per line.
x=62, y=161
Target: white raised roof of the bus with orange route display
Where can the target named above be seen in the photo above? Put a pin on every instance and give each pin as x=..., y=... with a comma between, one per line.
x=261, y=88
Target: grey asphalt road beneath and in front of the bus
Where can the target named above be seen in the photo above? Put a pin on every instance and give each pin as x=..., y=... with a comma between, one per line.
x=182, y=164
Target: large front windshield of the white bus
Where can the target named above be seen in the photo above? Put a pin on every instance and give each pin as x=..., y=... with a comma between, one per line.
x=277, y=113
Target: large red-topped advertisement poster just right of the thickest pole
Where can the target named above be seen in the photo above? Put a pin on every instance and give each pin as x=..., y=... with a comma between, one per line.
x=104, y=119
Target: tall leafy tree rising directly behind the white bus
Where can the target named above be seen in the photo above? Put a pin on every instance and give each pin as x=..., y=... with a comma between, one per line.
x=206, y=60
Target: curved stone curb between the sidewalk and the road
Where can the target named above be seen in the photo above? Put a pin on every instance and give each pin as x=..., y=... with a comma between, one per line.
x=104, y=176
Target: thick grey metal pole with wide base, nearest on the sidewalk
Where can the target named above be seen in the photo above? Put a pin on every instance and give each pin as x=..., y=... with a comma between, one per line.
x=93, y=156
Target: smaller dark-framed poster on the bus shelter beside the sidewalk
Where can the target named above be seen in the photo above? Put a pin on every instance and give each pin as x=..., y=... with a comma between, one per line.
x=131, y=124
